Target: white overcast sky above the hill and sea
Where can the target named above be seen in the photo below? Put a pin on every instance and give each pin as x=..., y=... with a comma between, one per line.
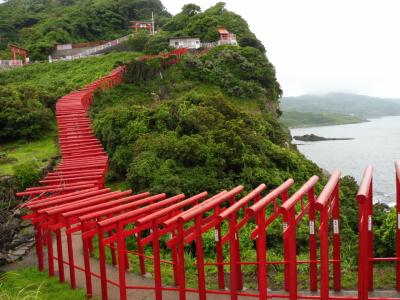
x=320, y=46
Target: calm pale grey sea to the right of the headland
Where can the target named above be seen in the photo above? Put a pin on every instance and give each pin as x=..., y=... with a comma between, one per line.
x=376, y=142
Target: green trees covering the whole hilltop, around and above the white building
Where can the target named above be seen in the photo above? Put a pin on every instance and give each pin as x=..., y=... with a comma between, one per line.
x=39, y=25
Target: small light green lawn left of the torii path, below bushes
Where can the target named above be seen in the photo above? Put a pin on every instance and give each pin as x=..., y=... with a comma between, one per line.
x=23, y=151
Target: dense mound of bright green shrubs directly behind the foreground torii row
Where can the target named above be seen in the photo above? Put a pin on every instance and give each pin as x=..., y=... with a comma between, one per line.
x=195, y=143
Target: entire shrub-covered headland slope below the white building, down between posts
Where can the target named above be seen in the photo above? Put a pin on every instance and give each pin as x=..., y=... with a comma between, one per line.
x=186, y=133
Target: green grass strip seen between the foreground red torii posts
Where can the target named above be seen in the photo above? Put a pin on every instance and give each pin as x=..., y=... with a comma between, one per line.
x=384, y=273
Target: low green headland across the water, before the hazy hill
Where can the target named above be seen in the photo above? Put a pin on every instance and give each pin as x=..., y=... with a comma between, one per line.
x=294, y=119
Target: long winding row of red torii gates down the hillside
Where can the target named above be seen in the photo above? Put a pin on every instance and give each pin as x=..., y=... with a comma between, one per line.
x=73, y=200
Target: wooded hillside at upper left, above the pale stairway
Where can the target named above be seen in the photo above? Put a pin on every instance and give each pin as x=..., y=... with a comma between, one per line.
x=39, y=24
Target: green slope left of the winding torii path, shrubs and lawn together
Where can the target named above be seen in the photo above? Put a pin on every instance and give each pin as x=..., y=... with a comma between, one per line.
x=27, y=98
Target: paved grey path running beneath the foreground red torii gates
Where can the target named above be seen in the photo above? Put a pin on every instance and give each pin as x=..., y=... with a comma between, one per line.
x=132, y=279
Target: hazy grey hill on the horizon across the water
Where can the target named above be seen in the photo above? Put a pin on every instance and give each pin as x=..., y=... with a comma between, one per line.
x=342, y=103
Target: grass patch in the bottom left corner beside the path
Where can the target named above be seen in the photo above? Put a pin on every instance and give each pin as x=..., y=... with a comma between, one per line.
x=29, y=284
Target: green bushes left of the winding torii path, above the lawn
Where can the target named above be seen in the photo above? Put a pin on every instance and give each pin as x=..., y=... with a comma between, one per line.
x=28, y=95
